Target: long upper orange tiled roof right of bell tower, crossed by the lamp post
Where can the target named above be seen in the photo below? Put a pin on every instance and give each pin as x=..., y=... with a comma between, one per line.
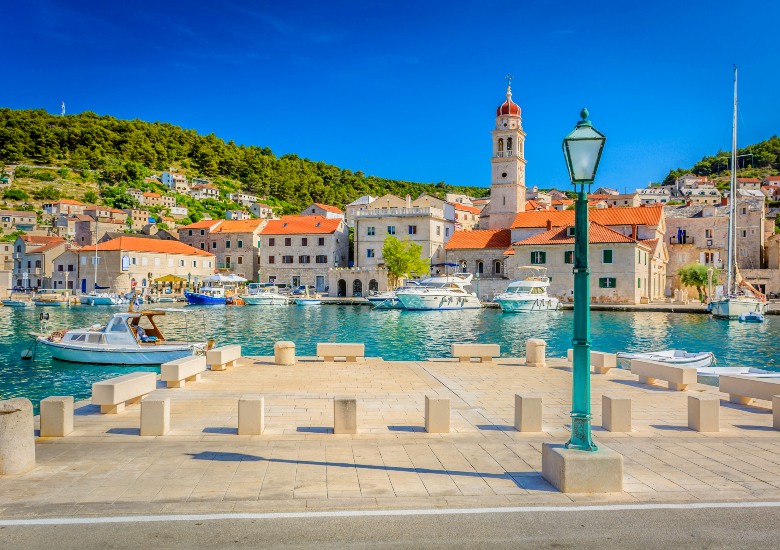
x=630, y=215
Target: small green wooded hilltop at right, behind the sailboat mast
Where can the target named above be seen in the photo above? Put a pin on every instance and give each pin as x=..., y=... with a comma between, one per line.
x=754, y=161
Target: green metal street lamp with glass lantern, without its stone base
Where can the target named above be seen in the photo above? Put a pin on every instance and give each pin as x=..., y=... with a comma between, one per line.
x=582, y=149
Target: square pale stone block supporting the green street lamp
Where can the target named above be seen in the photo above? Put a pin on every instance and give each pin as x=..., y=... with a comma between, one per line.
x=576, y=471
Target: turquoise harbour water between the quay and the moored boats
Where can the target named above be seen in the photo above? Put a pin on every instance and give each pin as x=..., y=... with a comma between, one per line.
x=392, y=334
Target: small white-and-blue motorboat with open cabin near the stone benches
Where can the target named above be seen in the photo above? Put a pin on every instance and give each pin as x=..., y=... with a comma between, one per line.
x=130, y=338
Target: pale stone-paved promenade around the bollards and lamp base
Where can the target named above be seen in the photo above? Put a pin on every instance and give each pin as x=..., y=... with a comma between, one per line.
x=298, y=464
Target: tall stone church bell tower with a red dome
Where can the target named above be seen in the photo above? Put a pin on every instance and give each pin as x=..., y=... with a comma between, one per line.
x=507, y=182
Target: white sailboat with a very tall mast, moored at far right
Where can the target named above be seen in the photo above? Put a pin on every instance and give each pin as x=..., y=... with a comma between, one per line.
x=741, y=297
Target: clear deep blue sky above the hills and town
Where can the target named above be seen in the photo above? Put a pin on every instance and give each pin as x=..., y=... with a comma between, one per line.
x=408, y=90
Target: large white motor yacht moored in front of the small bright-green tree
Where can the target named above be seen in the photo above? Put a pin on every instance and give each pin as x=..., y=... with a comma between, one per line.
x=440, y=292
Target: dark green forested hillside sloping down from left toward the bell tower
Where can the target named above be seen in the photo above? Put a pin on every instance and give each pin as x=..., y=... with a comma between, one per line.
x=128, y=150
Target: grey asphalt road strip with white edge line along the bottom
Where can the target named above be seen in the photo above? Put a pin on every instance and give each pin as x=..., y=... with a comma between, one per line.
x=752, y=528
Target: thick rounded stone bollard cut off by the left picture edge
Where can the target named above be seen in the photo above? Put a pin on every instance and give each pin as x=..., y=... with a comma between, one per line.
x=17, y=436
